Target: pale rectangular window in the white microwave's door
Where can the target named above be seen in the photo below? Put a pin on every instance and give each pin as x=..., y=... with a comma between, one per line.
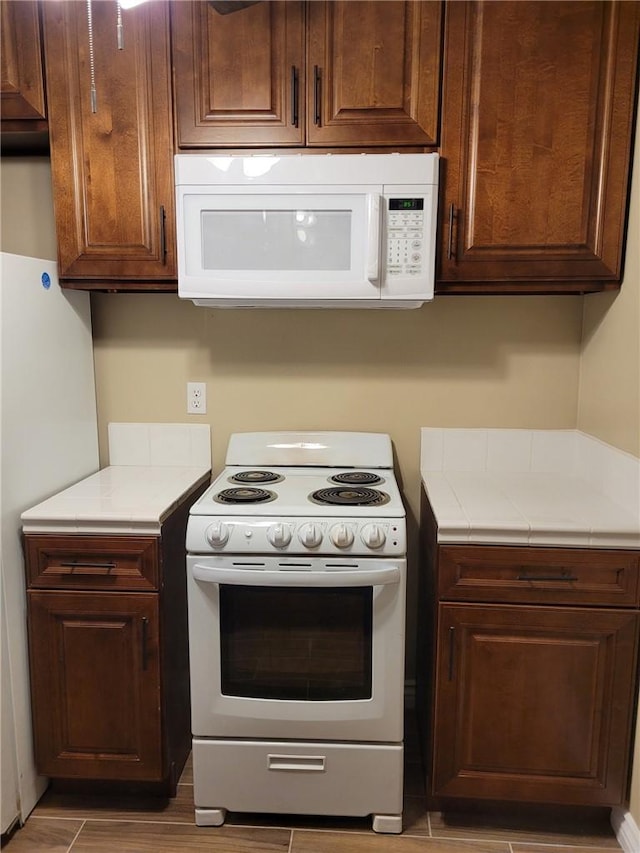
x=276, y=239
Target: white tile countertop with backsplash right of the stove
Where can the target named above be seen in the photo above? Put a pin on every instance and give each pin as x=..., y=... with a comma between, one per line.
x=530, y=487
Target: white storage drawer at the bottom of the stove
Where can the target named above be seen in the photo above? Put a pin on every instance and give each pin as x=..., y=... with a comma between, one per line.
x=298, y=777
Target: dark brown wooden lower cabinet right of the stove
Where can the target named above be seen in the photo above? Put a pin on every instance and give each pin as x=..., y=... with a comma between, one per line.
x=527, y=672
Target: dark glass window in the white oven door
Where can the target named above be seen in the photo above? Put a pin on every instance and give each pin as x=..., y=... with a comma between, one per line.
x=296, y=643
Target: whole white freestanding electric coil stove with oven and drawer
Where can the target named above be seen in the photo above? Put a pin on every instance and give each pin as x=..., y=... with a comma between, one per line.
x=296, y=577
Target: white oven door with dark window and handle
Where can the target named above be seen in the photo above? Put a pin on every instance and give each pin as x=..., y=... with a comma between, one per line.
x=298, y=648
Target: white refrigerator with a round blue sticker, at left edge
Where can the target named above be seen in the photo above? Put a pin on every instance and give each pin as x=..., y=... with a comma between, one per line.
x=49, y=440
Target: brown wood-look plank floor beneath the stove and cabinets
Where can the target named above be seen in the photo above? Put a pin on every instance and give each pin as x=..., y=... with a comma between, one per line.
x=66, y=823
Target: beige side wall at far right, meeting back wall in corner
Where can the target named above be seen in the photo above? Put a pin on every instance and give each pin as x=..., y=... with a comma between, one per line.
x=609, y=392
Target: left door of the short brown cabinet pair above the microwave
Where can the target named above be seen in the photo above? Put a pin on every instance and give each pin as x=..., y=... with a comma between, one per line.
x=238, y=76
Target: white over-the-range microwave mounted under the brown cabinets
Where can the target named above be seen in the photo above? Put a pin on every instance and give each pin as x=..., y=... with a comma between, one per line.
x=313, y=230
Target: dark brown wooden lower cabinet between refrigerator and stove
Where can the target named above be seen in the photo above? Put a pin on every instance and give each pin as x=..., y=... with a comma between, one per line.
x=109, y=655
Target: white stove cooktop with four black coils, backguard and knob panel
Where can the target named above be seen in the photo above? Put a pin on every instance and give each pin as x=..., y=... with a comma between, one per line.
x=293, y=493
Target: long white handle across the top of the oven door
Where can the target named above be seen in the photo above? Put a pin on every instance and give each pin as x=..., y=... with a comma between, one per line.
x=262, y=577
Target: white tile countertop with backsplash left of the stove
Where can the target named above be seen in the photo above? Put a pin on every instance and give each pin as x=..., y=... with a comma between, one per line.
x=153, y=466
